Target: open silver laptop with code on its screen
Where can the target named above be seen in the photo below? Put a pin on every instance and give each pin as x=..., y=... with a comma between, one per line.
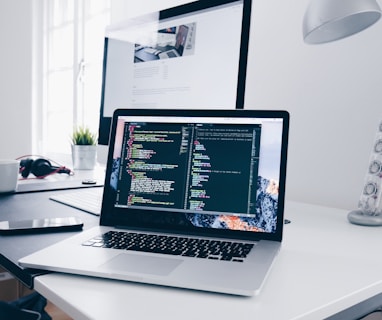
x=192, y=199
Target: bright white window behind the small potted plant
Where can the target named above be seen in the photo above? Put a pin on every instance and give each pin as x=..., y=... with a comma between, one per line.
x=73, y=39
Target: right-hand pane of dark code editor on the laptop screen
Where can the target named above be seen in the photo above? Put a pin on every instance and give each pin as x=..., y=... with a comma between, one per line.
x=224, y=160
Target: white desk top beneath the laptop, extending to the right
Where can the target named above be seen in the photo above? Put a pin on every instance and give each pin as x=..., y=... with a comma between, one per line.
x=326, y=265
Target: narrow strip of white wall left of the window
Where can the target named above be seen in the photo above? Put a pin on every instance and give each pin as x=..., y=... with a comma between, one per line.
x=15, y=78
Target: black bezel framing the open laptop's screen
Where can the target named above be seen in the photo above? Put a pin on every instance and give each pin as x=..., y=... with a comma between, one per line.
x=130, y=218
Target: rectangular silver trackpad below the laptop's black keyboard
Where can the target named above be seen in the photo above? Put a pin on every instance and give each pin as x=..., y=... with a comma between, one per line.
x=140, y=264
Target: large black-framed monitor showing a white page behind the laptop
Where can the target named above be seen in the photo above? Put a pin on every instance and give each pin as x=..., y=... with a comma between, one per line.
x=192, y=56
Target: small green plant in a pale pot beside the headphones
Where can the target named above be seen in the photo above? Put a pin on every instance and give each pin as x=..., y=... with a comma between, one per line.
x=84, y=149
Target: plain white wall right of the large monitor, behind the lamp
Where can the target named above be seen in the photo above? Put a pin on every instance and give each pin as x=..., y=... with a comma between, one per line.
x=333, y=93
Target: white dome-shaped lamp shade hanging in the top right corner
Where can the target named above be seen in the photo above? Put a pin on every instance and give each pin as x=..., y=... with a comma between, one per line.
x=329, y=20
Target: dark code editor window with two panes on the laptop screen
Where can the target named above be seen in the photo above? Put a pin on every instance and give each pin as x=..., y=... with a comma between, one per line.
x=205, y=167
